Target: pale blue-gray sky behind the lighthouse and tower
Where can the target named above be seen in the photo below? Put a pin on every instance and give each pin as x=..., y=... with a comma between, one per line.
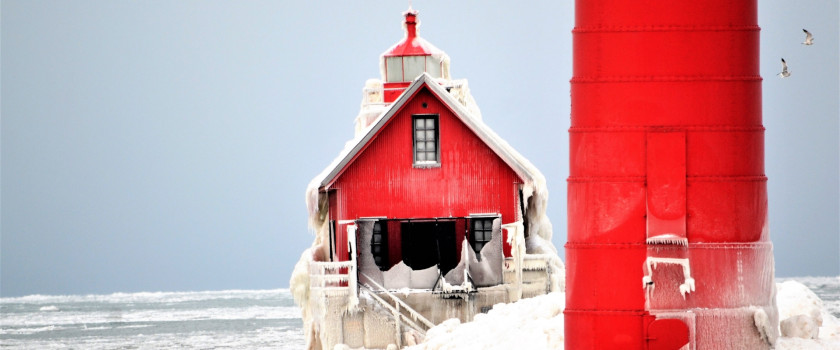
x=166, y=145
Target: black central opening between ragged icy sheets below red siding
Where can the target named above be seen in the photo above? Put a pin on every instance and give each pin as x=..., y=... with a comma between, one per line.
x=429, y=243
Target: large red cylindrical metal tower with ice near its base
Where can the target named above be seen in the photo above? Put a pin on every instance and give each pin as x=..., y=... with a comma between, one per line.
x=667, y=240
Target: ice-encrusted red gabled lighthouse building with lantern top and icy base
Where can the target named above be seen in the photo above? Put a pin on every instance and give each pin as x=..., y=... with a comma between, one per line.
x=426, y=199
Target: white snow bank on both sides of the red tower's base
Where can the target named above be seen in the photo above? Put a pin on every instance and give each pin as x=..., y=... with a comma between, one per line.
x=537, y=323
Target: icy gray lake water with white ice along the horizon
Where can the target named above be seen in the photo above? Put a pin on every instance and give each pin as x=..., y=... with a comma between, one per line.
x=239, y=319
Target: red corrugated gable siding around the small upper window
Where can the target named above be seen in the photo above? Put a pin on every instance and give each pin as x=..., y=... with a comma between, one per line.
x=382, y=180
